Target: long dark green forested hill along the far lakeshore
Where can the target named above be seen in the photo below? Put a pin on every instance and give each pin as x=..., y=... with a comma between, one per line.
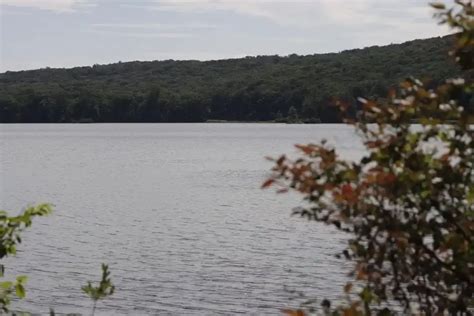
x=248, y=89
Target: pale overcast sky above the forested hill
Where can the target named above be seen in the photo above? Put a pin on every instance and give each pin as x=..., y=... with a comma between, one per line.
x=67, y=33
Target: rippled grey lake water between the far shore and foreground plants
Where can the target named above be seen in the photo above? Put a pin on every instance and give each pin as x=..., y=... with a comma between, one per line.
x=177, y=212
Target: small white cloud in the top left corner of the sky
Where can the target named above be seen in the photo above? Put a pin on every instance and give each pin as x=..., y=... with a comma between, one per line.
x=50, y=5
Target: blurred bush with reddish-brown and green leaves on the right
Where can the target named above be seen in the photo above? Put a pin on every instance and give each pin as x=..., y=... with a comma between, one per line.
x=408, y=203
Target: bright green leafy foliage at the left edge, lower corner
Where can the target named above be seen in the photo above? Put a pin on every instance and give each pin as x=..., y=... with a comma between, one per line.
x=10, y=229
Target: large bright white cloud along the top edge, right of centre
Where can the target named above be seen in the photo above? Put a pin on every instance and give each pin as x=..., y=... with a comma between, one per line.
x=310, y=13
